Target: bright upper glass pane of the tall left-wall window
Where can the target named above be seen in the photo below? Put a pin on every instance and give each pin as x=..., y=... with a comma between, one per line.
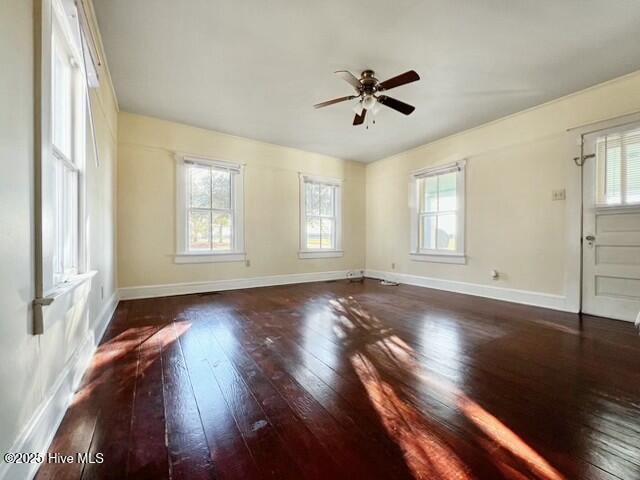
x=61, y=93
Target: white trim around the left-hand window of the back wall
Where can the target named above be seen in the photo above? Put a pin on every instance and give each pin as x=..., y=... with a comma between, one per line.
x=237, y=253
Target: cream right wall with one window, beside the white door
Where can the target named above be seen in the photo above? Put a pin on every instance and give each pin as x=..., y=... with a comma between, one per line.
x=512, y=224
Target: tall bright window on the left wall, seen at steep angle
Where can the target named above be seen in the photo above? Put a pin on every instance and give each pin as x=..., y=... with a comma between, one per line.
x=64, y=157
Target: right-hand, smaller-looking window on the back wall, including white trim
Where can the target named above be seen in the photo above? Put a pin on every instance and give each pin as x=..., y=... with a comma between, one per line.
x=320, y=217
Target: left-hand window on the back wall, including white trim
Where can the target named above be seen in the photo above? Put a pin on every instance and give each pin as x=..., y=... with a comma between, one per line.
x=210, y=213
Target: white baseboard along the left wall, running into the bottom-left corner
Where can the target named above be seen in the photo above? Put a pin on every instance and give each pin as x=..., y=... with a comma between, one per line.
x=44, y=423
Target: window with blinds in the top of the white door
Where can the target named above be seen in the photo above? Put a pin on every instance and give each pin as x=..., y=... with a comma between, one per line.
x=618, y=167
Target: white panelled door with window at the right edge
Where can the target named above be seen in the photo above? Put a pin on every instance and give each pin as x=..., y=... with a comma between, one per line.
x=611, y=228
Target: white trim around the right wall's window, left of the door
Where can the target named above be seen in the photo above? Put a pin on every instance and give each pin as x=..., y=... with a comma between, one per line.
x=433, y=255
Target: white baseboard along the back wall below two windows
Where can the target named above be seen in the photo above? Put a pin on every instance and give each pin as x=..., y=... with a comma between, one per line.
x=166, y=290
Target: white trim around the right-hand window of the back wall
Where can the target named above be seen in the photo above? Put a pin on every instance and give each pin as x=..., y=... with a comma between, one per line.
x=308, y=253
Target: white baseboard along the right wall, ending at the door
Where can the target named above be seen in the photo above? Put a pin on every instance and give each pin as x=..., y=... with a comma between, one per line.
x=525, y=297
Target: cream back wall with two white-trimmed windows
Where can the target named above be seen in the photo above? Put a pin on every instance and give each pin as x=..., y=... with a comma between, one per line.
x=146, y=199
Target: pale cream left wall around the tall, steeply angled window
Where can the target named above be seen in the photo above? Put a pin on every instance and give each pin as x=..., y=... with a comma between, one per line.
x=30, y=365
